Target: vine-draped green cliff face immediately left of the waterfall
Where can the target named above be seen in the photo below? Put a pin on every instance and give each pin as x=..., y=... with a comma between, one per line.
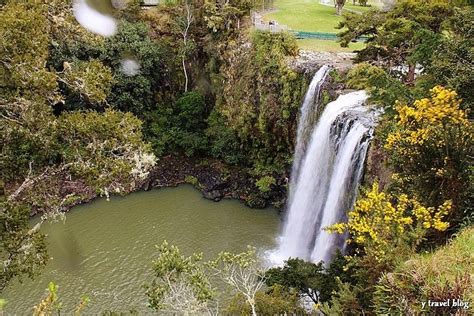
x=259, y=103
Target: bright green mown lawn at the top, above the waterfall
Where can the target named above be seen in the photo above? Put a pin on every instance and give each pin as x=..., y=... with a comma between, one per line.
x=312, y=16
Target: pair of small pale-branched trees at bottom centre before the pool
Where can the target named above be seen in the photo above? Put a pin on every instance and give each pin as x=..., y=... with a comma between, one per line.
x=183, y=284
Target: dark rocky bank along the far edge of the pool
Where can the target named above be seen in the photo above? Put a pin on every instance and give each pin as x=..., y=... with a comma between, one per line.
x=214, y=179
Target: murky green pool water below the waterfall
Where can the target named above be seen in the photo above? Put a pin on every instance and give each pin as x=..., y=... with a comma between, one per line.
x=104, y=249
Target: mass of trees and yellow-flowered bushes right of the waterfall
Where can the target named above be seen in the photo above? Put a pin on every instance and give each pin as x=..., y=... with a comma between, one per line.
x=417, y=55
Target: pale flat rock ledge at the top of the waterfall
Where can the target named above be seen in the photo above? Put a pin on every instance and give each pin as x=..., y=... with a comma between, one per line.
x=310, y=61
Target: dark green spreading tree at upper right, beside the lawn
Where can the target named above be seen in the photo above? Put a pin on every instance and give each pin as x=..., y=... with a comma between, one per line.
x=394, y=36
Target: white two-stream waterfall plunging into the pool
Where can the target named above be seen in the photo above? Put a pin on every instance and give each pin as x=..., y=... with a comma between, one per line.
x=327, y=167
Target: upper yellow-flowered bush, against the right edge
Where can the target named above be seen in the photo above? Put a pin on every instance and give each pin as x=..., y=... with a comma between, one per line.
x=429, y=146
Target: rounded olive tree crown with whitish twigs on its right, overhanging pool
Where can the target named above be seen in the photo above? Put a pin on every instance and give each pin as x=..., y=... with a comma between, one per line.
x=106, y=149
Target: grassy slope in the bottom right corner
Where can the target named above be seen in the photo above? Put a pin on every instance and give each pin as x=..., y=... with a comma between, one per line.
x=446, y=273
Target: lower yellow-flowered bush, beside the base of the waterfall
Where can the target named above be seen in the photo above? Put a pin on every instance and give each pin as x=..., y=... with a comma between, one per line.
x=378, y=224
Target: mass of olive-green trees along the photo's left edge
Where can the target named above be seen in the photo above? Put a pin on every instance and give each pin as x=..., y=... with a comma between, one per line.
x=105, y=151
